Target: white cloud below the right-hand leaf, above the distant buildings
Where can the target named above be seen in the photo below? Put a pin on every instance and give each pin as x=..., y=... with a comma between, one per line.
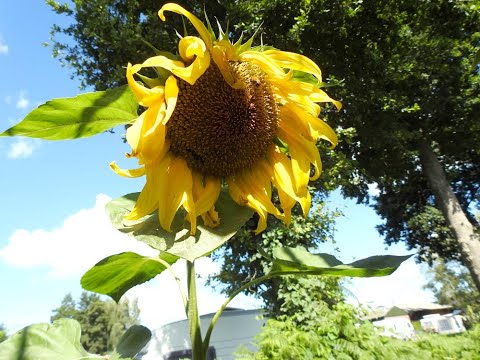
x=404, y=286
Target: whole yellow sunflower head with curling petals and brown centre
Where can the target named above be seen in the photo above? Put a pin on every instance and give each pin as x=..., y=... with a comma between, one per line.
x=225, y=113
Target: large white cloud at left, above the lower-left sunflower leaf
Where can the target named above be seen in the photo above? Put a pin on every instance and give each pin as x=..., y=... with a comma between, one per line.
x=84, y=238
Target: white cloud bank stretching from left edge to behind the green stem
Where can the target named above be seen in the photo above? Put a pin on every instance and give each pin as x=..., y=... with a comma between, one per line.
x=86, y=237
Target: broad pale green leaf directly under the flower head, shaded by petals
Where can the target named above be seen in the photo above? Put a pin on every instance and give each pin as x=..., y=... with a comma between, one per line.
x=179, y=242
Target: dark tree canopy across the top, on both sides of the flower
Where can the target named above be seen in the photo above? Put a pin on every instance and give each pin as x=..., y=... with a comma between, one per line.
x=410, y=90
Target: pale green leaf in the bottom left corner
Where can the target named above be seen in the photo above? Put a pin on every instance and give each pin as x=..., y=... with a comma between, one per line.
x=57, y=341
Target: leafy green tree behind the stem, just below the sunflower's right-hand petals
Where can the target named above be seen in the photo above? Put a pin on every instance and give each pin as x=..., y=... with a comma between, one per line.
x=242, y=261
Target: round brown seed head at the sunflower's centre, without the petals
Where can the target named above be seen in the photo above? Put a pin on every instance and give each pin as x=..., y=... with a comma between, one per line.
x=219, y=130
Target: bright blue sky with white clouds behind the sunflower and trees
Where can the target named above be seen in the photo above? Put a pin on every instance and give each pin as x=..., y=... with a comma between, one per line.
x=52, y=223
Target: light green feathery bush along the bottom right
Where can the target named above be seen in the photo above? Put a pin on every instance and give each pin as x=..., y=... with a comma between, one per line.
x=339, y=335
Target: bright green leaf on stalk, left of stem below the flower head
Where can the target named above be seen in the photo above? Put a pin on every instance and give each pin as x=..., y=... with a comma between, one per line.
x=116, y=274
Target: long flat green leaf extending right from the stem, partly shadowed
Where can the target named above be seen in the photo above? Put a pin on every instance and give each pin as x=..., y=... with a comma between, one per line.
x=299, y=260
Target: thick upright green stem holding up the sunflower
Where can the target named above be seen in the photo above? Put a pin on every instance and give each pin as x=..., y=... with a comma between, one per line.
x=192, y=314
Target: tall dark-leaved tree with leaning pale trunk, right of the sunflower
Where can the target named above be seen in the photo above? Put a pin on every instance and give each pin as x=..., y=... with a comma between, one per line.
x=410, y=92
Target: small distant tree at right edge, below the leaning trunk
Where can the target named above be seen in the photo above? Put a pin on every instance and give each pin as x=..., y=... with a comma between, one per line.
x=452, y=284
